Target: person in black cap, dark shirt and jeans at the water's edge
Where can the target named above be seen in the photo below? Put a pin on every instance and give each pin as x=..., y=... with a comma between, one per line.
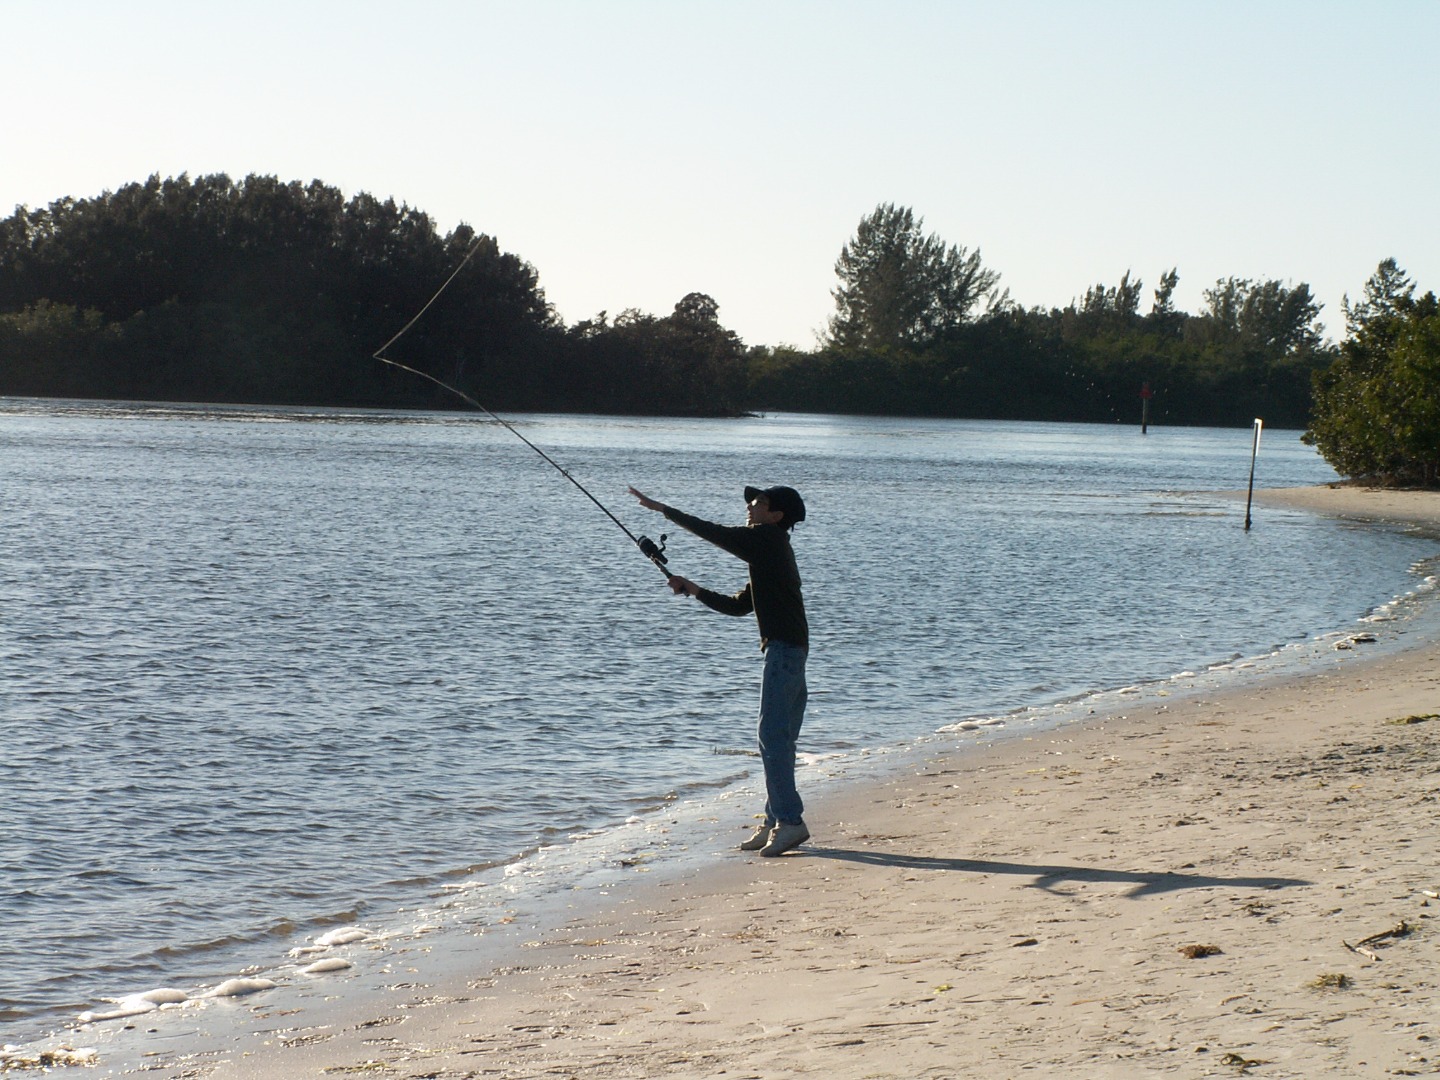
x=774, y=594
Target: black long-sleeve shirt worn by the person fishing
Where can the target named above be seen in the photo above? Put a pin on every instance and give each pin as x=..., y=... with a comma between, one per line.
x=774, y=591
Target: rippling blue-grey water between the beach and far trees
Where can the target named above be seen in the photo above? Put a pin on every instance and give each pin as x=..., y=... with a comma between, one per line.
x=269, y=670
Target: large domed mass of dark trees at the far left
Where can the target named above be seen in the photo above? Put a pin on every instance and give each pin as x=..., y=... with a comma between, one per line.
x=260, y=292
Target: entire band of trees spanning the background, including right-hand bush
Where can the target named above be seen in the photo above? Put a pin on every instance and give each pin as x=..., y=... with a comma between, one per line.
x=266, y=292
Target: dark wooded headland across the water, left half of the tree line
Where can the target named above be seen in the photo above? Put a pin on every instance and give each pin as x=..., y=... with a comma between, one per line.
x=263, y=292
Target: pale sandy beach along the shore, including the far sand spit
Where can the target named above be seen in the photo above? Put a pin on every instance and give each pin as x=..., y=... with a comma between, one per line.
x=1243, y=883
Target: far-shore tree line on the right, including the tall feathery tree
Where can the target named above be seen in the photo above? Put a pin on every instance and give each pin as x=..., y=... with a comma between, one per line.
x=925, y=328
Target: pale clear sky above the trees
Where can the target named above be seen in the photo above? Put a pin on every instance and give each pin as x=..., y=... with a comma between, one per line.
x=639, y=150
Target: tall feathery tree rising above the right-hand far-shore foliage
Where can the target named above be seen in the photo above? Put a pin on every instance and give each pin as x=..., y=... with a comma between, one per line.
x=901, y=287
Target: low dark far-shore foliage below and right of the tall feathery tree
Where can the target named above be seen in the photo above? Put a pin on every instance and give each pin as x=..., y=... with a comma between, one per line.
x=1086, y=362
